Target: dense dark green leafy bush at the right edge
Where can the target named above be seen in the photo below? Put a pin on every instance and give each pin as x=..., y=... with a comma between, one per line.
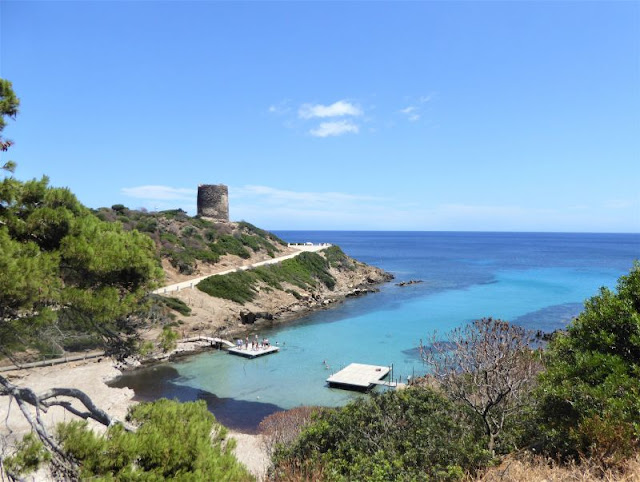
x=589, y=400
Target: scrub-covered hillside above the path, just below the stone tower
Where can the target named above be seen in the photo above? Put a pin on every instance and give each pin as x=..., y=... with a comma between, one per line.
x=185, y=240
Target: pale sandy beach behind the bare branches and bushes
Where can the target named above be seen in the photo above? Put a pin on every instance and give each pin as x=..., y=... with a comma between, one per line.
x=91, y=377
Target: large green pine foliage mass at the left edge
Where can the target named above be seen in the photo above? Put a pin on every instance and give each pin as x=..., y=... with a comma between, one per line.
x=59, y=264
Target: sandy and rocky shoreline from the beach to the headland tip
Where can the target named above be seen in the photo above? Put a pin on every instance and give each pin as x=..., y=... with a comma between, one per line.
x=95, y=376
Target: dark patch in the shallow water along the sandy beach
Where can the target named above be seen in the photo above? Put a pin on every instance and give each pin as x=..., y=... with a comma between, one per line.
x=161, y=381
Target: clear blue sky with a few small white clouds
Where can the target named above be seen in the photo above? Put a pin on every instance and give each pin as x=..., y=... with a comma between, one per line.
x=453, y=116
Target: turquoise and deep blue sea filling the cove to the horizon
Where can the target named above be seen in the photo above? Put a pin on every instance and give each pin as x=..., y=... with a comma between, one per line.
x=537, y=280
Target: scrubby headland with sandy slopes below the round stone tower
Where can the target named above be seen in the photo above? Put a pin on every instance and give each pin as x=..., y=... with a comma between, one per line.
x=190, y=247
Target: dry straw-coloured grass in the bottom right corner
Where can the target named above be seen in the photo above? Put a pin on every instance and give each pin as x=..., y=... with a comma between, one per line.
x=539, y=469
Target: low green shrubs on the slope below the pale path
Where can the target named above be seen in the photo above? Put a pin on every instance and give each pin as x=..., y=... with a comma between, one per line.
x=304, y=271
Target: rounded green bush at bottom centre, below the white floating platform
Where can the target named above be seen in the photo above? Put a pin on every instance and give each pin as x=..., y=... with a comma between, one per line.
x=413, y=434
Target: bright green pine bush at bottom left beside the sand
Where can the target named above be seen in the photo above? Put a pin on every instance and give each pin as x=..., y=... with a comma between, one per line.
x=173, y=441
